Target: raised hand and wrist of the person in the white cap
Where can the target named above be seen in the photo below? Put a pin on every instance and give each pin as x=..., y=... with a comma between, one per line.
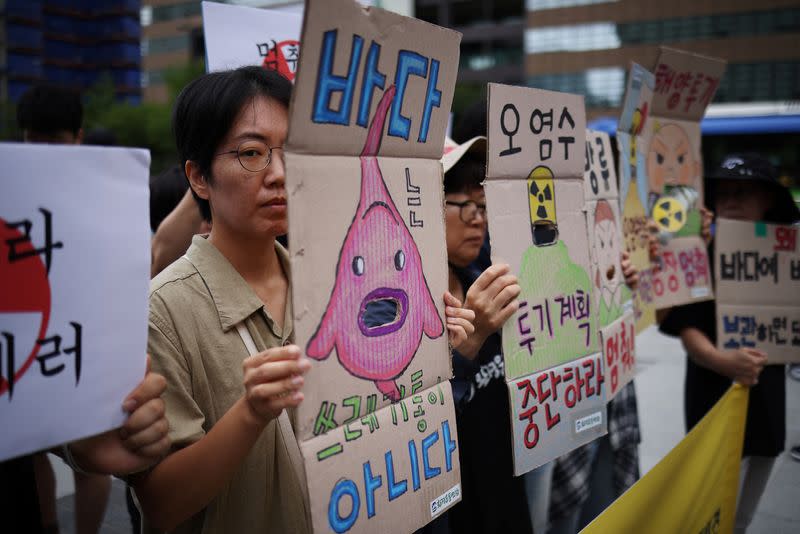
x=493, y=298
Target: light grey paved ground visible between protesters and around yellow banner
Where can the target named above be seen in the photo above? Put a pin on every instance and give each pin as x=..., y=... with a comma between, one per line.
x=659, y=386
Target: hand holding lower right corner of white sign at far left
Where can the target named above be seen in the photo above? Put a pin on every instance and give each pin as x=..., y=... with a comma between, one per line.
x=139, y=443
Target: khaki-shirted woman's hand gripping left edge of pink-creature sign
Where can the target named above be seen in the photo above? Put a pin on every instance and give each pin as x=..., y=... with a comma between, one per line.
x=273, y=379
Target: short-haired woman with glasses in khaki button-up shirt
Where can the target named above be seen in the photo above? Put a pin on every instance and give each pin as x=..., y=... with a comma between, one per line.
x=220, y=327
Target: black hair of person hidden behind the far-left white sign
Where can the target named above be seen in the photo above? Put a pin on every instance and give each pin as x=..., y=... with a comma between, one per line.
x=48, y=109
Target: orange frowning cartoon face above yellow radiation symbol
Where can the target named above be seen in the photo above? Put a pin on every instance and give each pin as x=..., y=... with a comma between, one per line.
x=671, y=159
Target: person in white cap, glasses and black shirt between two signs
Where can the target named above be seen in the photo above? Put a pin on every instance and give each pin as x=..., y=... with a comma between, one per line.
x=493, y=500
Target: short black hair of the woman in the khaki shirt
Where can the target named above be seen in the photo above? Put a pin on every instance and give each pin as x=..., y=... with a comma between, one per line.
x=207, y=107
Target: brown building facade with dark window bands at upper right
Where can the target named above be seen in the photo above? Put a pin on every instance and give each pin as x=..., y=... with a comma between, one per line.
x=585, y=46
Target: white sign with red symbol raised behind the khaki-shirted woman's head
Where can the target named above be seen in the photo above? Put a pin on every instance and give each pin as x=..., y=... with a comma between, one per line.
x=237, y=36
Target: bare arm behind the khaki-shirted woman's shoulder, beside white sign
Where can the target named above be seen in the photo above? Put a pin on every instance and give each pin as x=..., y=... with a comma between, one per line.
x=174, y=235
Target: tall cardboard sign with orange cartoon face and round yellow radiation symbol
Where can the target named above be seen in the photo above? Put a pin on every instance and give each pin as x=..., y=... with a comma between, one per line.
x=685, y=84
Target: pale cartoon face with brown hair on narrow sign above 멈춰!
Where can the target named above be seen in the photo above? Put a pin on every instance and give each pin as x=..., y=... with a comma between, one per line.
x=606, y=250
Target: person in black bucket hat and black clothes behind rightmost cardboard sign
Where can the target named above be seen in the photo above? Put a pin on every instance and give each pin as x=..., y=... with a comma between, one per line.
x=743, y=187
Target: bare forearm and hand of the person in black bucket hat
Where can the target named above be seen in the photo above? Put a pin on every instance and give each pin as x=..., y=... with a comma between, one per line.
x=741, y=365
